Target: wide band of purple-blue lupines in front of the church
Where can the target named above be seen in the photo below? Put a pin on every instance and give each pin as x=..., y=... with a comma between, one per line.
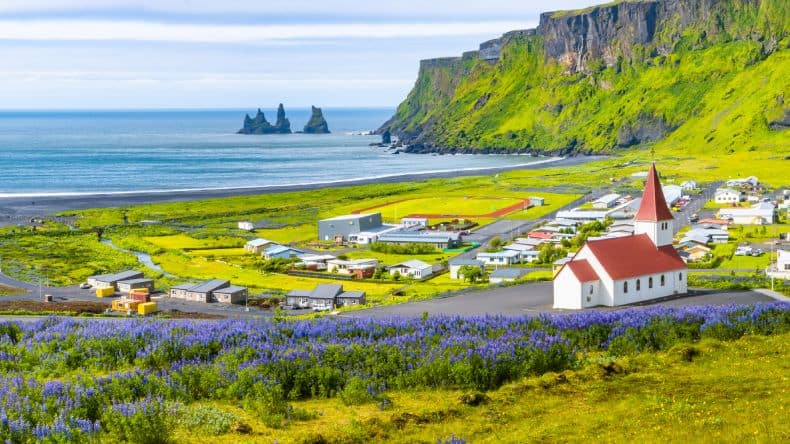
x=83, y=380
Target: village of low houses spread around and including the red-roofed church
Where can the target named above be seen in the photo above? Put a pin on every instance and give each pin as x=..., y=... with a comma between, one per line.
x=611, y=250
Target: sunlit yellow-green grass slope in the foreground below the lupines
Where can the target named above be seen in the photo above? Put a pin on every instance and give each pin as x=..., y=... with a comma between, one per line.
x=719, y=392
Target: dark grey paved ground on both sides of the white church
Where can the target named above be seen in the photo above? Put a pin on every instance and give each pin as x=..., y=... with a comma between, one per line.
x=532, y=299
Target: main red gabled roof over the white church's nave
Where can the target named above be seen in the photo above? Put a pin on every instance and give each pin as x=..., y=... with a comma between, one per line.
x=632, y=256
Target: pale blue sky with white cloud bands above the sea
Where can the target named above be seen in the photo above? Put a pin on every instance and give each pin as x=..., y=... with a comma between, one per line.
x=147, y=54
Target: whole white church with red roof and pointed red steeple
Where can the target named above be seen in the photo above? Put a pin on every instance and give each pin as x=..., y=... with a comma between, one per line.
x=626, y=270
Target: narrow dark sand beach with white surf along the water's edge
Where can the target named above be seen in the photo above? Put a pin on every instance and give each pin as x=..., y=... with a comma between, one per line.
x=14, y=208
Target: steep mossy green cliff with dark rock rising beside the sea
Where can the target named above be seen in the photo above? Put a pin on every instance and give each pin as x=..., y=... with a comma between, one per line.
x=710, y=74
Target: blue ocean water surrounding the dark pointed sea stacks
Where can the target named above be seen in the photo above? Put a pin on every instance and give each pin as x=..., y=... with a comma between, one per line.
x=88, y=152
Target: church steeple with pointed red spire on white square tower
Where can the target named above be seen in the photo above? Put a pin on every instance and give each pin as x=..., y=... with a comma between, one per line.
x=654, y=217
